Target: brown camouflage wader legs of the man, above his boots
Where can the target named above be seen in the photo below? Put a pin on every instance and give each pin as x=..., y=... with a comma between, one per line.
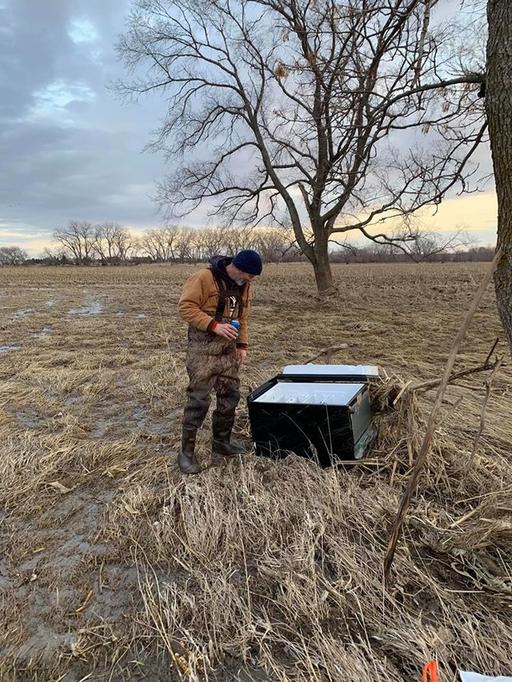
x=212, y=364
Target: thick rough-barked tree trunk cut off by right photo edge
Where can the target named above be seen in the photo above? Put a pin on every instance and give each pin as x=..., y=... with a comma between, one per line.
x=499, y=113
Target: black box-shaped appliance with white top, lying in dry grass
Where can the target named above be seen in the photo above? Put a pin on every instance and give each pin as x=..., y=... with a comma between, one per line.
x=321, y=412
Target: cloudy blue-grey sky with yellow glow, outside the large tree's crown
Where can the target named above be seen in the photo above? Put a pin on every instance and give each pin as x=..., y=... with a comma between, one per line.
x=70, y=150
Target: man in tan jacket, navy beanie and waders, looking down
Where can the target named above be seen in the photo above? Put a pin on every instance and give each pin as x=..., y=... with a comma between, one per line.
x=210, y=300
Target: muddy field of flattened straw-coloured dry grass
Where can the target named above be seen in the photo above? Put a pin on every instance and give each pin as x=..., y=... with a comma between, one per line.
x=115, y=567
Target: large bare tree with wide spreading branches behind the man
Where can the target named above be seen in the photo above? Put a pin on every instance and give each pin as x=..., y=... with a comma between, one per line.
x=297, y=109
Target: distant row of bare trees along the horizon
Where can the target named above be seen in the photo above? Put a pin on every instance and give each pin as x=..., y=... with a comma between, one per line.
x=82, y=243
